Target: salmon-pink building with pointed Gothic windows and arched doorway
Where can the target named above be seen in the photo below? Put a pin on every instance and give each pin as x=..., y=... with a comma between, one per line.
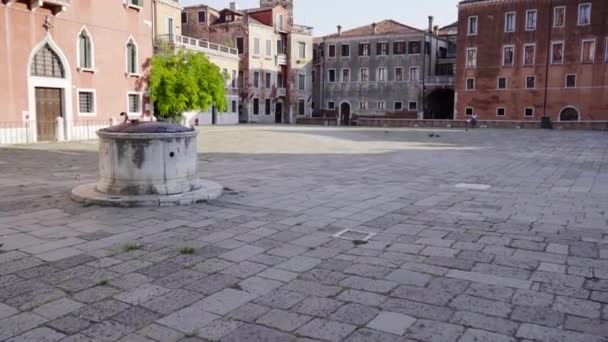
x=65, y=69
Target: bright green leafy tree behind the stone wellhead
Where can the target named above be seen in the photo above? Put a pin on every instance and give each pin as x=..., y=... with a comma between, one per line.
x=185, y=81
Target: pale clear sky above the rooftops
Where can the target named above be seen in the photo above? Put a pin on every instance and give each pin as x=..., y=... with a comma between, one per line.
x=325, y=15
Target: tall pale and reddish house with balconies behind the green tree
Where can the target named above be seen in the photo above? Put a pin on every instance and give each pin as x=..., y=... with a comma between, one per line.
x=275, y=77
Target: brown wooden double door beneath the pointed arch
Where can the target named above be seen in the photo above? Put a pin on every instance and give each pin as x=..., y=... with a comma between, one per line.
x=48, y=108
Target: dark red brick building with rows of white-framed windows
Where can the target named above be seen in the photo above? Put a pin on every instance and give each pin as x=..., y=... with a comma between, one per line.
x=520, y=60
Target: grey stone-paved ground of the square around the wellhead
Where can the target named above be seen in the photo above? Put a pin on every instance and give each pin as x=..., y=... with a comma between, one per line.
x=524, y=260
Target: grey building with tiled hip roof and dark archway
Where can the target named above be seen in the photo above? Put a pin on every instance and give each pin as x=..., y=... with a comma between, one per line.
x=385, y=69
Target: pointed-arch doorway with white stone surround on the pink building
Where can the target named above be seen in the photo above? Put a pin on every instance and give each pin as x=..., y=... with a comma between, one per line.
x=49, y=91
